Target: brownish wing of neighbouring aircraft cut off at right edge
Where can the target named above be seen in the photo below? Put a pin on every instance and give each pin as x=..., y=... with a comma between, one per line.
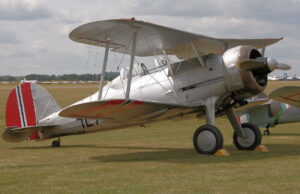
x=288, y=94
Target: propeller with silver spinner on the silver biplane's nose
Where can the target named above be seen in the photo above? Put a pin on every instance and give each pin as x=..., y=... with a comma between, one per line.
x=263, y=62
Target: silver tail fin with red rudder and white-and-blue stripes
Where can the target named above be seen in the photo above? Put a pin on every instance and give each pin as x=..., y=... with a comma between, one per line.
x=27, y=104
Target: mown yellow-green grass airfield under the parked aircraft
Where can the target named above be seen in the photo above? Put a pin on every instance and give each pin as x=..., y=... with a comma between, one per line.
x=157, y=159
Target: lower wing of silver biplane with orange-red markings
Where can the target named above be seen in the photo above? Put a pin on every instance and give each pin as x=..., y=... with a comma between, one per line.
x=129, y=111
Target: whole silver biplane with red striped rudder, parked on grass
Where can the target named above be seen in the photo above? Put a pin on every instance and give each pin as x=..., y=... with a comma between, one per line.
x=210, y=78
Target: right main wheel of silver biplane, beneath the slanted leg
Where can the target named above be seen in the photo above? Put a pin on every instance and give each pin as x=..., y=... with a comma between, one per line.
x=252, y=140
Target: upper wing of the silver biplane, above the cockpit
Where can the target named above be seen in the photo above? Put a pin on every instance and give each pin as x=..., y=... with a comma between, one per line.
x=152, y=39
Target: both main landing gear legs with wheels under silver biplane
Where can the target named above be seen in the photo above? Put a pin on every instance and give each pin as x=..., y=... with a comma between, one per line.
x=208, y=139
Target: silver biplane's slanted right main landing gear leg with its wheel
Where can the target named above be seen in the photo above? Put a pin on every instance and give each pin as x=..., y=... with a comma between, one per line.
x=246, y=136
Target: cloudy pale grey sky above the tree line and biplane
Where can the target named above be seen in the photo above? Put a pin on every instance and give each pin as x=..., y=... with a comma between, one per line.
x=34, y=33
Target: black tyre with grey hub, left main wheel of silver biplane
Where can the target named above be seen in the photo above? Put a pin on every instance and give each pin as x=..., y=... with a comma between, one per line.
x=207, y=139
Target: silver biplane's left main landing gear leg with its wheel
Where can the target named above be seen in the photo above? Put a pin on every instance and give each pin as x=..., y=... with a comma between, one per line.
x=208, y=139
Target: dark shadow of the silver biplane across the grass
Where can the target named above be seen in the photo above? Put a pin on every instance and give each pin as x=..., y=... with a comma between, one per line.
x=182, y=155
